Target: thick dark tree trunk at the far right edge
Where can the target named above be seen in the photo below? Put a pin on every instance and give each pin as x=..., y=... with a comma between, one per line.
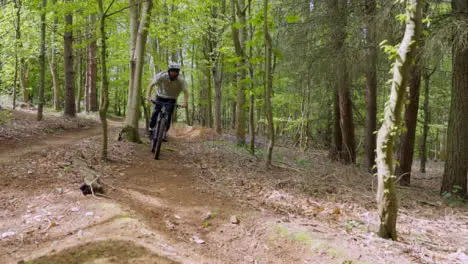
x=456, y=166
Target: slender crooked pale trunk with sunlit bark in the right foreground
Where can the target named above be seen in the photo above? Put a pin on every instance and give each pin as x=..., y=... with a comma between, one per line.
x=386, y=192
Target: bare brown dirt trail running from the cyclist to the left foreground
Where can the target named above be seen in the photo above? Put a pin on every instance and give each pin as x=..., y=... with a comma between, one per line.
x=157, y=215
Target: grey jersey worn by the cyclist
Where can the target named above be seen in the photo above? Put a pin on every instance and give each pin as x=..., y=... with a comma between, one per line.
x=166, y=88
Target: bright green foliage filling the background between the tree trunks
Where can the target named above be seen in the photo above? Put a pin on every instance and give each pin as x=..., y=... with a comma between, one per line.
x=182, y=30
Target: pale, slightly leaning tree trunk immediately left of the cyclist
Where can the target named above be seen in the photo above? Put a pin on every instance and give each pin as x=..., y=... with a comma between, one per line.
x=136, y=72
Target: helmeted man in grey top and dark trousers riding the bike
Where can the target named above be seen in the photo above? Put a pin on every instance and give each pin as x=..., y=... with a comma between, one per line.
x=169, y=85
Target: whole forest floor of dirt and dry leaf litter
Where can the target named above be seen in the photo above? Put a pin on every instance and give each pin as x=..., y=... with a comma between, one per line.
x=205, y=201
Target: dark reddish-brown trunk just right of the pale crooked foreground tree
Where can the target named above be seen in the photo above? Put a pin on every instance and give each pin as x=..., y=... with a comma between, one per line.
x=406, y=150
